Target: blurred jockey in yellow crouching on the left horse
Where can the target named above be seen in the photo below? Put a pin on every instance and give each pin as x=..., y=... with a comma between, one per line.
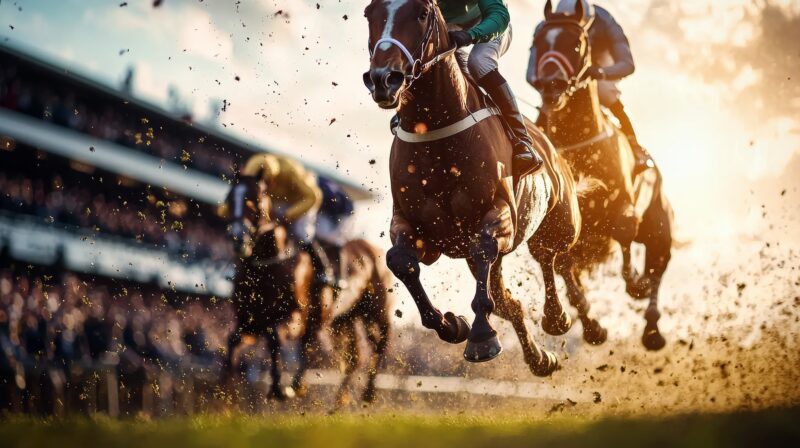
x=295, y=201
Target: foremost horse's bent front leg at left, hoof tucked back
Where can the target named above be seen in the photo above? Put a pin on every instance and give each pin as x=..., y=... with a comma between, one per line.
x=403, y=260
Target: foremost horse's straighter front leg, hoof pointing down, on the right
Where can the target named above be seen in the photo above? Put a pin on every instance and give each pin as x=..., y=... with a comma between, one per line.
x=496, y=235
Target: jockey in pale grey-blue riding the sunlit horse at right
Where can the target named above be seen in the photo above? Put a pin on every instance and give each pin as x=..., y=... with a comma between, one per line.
x=611, y=61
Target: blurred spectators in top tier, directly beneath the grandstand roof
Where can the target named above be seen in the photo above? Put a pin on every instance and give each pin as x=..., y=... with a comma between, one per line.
x=107, y=119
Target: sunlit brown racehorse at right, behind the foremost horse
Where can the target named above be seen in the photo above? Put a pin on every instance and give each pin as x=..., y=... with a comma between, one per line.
x=628, y=209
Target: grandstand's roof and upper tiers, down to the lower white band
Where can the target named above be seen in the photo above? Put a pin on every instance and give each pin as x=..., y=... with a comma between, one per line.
x=101, y=182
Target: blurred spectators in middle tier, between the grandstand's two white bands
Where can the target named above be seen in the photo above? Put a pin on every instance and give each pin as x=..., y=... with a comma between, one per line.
x=170, y=225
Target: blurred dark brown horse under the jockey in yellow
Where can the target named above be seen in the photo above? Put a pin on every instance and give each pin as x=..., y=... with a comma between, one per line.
x=272, y=283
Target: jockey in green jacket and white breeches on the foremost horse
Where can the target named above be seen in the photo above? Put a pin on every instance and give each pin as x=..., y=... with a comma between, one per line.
x=485, y=25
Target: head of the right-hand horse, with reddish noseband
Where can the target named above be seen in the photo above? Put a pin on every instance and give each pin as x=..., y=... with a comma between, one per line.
x=564, y=56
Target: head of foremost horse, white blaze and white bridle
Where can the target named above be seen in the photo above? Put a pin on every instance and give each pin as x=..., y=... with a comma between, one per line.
x=403, y=34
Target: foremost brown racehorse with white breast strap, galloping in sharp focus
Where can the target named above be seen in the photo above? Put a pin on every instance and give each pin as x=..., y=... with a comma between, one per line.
x=453, y=192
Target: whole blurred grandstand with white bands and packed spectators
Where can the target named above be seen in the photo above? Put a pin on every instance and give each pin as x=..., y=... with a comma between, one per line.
x=111, y=250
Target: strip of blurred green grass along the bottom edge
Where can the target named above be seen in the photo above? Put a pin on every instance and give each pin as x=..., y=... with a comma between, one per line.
x=776, y=427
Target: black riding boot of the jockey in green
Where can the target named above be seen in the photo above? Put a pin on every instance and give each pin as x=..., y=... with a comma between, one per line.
x=526, y=159
